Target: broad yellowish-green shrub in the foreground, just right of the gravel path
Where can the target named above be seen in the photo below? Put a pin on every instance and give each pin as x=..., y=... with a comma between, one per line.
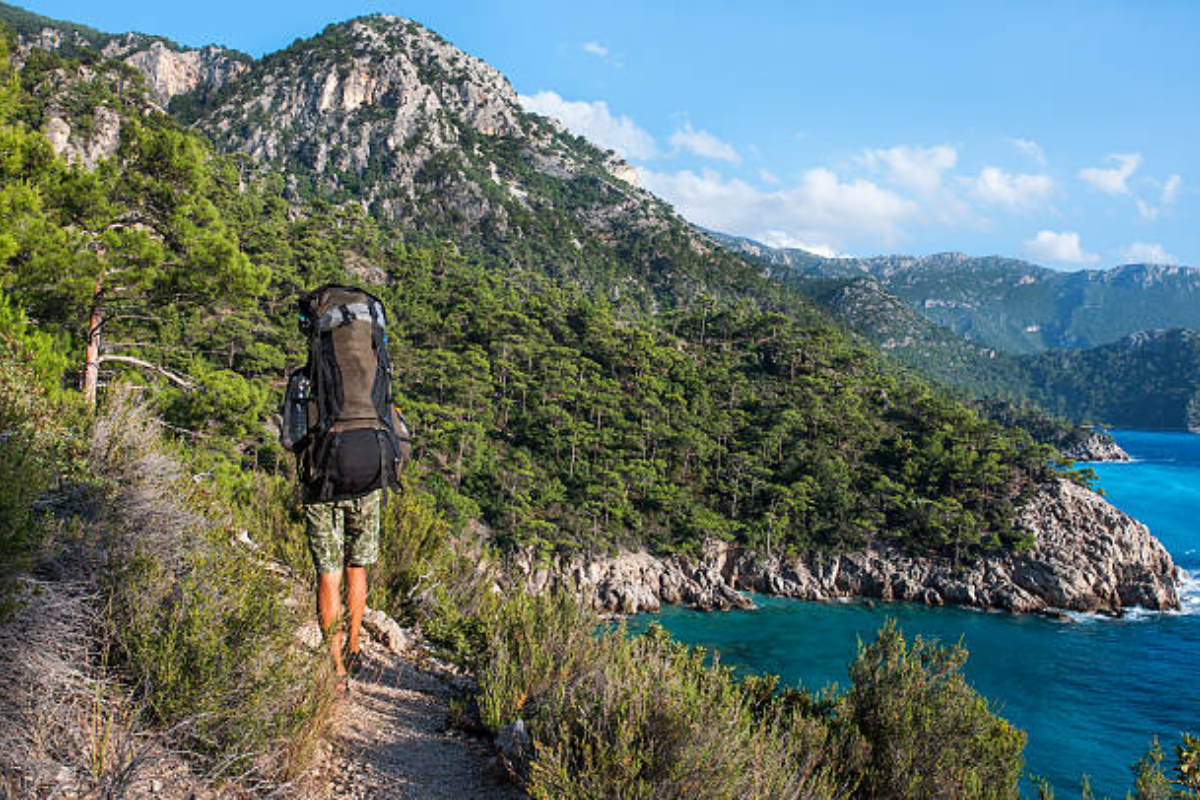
x=640, y=718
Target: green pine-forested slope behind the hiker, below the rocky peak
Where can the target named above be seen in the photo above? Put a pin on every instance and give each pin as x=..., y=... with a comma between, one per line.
x=557, y=417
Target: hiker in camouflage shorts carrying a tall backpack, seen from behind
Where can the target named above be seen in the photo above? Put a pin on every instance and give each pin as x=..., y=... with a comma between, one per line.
x=351, y=443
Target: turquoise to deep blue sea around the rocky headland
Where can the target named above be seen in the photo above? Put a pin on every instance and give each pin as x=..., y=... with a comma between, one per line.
x=1090, y=693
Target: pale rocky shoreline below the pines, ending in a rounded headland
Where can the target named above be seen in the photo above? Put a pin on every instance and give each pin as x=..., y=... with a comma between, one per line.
x=1089, y=557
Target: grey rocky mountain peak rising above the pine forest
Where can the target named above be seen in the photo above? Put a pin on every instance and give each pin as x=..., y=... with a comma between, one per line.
x=389, y=115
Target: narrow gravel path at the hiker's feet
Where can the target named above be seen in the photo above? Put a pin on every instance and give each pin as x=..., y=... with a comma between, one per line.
x=391, y=739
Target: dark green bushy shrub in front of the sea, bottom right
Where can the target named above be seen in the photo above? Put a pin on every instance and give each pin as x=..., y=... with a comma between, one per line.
x=928, y=733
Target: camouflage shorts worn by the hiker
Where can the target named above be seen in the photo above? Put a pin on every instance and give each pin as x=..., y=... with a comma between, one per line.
x=344, y=528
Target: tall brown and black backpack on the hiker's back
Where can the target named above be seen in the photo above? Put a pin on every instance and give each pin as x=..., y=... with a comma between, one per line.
x=339, y=416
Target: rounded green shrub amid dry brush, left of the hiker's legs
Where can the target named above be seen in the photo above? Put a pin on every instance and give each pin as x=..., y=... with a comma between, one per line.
x=213, y=647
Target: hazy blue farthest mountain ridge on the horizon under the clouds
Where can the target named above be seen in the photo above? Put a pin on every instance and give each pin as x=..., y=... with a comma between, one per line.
x=1012, y=305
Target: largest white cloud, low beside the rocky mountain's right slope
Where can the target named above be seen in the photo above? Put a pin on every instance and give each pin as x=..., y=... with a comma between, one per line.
x=821, y=210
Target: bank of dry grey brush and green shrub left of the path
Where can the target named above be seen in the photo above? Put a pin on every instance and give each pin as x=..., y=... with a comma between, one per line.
x=146, y=652
